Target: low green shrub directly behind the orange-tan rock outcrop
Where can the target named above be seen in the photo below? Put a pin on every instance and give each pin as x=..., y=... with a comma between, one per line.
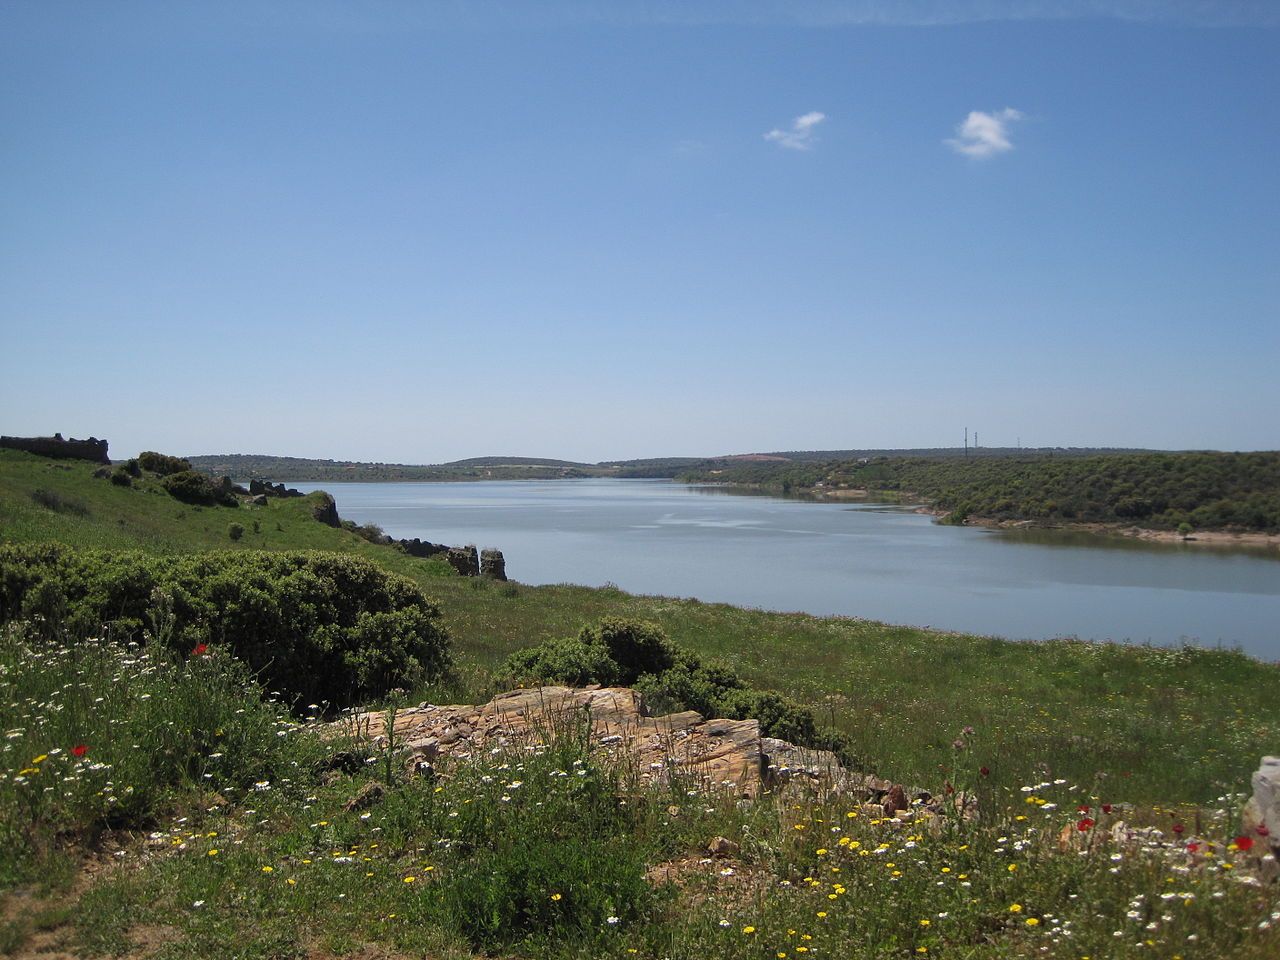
x=638, y=653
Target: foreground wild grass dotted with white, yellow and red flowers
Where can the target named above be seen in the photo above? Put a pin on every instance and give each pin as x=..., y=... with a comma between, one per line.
x=241, y=843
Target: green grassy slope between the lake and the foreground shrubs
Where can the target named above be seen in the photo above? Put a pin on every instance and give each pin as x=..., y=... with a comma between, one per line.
x=1173, y=725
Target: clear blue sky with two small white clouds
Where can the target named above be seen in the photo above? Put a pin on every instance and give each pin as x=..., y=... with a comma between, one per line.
x=418, y=232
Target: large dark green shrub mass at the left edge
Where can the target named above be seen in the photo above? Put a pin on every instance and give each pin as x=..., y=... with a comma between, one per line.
x=317, y=627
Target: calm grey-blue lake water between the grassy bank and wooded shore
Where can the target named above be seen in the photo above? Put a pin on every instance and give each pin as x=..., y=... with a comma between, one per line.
x=839, y=559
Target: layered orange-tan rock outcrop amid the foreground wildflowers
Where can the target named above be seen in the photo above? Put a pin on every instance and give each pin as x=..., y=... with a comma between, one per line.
x=720, y=755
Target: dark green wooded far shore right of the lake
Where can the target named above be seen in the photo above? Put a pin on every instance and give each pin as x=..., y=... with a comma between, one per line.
x=1158, y=491
